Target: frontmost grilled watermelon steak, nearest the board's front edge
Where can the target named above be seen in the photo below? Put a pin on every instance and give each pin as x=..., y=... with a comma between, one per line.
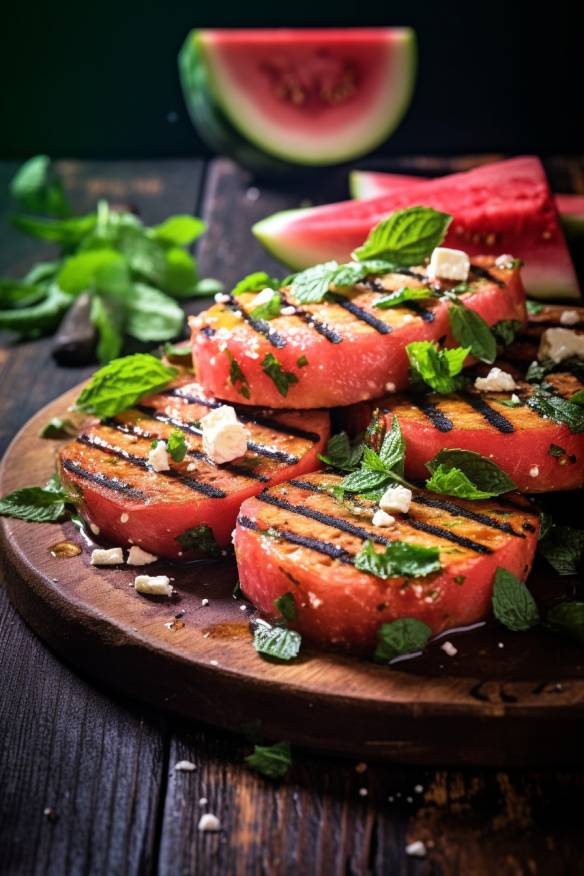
x=296, y=538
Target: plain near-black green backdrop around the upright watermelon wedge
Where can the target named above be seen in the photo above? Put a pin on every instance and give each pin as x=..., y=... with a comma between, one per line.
x=99, y=79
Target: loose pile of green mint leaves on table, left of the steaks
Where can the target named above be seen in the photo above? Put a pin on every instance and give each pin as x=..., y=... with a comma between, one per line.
x=134, y=274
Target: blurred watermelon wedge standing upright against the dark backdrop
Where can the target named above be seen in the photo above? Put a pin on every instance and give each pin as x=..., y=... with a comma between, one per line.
x=308, y=97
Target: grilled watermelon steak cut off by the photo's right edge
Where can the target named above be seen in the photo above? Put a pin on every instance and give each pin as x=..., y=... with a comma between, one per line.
x=538, y=454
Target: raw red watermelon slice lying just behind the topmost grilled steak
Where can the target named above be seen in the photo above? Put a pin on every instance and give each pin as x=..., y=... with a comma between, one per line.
x=505, y=207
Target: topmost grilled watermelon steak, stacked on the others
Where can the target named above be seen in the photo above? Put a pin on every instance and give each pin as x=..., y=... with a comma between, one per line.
x=339, y=351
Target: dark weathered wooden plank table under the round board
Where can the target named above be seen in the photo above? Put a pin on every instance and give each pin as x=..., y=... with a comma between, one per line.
x=87, y=784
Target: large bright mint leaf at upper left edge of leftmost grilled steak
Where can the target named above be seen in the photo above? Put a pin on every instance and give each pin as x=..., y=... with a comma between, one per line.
x=123, y=382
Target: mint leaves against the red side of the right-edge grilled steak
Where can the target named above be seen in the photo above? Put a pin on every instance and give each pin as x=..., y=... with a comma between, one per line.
x=467, y=475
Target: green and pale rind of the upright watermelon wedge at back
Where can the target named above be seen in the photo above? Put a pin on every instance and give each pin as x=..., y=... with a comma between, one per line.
x=222, y=128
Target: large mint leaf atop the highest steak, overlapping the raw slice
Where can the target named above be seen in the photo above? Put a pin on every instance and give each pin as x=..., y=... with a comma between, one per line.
x=407, y=237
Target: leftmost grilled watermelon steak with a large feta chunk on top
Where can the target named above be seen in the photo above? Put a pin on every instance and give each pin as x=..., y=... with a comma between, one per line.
x=189, y=511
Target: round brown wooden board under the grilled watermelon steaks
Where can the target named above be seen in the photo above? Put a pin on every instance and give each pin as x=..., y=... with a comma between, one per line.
x=503, y=699
